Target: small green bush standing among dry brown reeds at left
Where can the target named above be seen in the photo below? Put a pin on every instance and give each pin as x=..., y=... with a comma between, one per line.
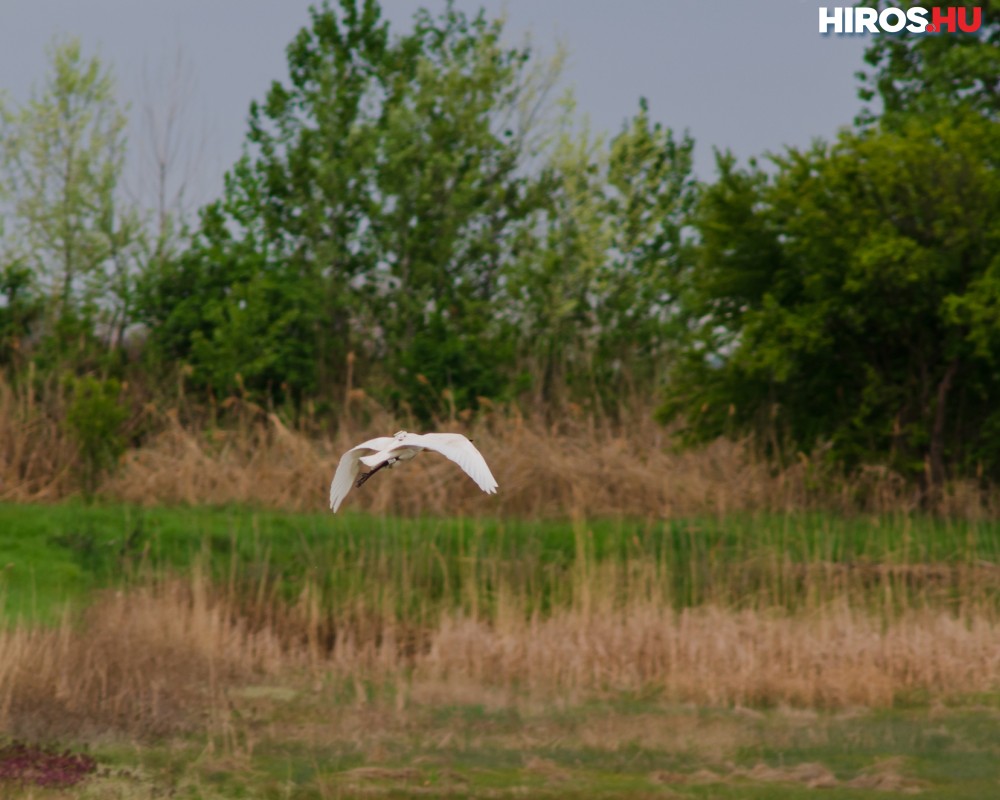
x=95, y=417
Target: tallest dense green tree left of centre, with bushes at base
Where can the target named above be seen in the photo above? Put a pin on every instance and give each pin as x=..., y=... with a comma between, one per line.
x=372, y=212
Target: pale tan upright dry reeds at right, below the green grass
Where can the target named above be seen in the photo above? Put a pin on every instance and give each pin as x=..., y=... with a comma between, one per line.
x=712, y=656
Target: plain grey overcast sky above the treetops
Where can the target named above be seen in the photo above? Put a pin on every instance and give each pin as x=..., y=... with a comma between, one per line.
x=747, y=76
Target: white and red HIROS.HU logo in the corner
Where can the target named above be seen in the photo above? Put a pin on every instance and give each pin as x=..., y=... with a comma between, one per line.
x=944, y=19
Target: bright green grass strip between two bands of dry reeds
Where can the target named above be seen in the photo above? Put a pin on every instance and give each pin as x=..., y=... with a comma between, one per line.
x=51, y=555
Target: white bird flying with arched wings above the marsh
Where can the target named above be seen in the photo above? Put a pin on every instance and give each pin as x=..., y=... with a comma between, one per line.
x=388, y=451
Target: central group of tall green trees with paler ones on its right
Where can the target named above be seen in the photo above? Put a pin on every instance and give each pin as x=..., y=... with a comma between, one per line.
x=384, y=207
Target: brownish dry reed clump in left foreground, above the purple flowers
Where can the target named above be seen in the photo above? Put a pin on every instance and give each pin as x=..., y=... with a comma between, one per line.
x=145, y=662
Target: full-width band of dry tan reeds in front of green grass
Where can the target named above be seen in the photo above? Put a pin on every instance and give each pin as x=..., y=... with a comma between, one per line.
x=165, y=656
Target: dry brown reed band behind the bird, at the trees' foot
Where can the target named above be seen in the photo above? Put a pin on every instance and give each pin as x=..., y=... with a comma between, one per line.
x=584, y=464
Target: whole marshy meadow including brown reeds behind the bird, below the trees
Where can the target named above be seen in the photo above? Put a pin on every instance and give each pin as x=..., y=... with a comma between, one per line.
x=622, y=620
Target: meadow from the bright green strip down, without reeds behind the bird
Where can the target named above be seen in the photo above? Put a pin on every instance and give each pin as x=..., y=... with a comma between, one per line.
x=237, y=652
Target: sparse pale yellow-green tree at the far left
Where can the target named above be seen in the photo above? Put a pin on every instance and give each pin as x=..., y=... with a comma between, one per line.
x=61, y=161
